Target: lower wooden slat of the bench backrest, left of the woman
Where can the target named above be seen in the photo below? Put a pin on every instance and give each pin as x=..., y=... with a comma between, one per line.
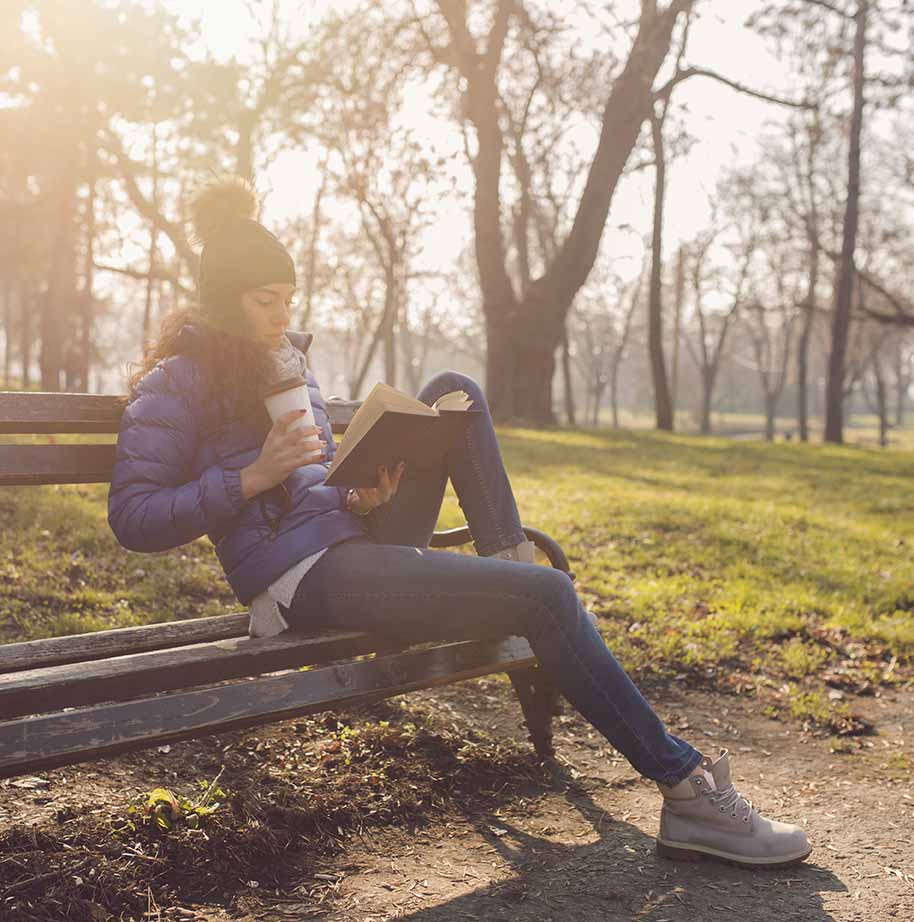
x=30, y=465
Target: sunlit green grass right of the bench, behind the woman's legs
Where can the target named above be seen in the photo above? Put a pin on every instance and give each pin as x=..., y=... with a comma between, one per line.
x=700, y=551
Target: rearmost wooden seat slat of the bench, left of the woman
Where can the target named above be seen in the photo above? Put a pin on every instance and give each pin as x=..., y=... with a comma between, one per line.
x=75, y=648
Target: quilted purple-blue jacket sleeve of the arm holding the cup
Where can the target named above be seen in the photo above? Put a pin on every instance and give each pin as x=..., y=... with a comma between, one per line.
x=156, y=501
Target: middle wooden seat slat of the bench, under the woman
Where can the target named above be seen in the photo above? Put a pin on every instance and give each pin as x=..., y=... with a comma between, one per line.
x=119, y=678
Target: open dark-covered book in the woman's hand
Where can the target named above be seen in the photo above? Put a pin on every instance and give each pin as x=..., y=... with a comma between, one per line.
x=390, y=427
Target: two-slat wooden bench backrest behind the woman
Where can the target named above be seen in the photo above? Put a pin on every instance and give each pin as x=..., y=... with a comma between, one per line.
x=34, y=413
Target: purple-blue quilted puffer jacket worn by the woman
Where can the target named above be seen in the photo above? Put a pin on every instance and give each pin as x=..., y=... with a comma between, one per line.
x=177, y=476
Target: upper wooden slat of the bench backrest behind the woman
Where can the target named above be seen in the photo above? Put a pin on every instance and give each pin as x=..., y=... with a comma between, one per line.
x=25, y=412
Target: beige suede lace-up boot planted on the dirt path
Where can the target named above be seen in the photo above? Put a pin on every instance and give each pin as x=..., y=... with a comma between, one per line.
x=705, y=817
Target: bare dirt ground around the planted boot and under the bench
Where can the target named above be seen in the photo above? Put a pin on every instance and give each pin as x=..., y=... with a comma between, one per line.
x=578, y=846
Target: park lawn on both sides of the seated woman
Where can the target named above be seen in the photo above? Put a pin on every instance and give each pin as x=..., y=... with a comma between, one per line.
x=702, y=556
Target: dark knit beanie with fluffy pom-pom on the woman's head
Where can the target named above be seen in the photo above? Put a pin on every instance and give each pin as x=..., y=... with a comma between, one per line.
x=239, y=253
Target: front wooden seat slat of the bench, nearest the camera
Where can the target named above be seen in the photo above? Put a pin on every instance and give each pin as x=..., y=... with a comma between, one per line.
x=35, y=743
